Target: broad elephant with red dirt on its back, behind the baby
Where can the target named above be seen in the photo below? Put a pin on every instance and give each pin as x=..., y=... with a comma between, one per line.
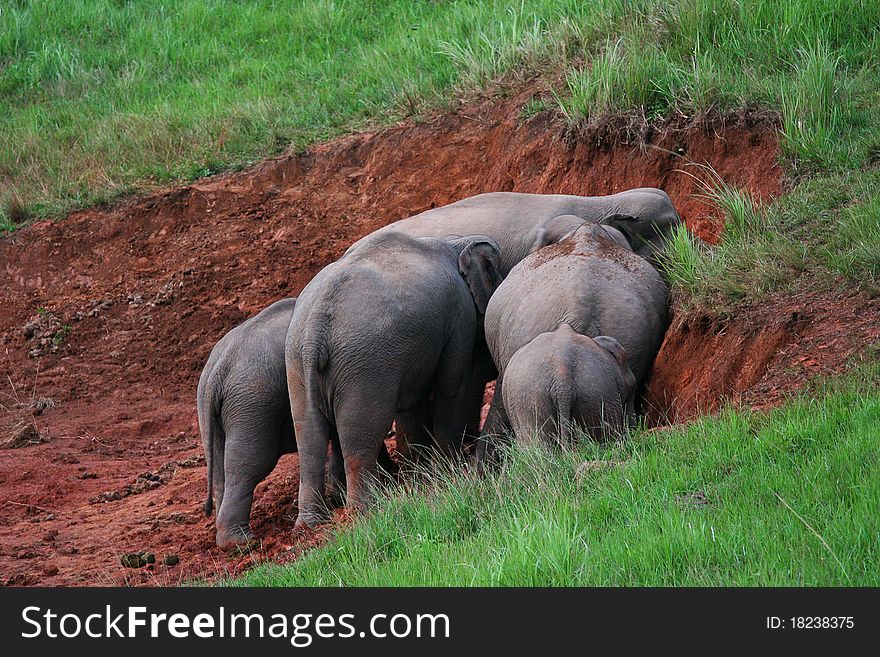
x=589, y=282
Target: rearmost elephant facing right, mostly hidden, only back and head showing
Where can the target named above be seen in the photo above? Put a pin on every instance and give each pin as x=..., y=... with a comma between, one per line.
x=516, y=220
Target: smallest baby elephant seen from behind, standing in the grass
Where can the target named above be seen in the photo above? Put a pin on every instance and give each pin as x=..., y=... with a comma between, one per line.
x=563, y=378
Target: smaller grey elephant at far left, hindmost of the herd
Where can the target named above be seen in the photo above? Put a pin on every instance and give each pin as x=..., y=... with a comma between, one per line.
x=245, y=420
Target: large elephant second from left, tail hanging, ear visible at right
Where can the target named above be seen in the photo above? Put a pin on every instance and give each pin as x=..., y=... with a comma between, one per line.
x=388, y=331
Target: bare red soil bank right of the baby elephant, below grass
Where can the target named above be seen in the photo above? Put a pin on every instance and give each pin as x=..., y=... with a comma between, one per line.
x=764, y=353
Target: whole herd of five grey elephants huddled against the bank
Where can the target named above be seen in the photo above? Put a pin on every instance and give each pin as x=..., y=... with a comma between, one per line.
x=557, y=297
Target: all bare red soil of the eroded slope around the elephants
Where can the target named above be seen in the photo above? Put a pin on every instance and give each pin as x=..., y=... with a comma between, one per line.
x=148, y=286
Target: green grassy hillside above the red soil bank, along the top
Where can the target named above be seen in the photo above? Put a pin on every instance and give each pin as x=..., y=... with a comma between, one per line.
x=100, y=98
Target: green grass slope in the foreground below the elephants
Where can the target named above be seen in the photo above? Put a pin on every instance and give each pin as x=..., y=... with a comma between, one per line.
x=742, y=498
